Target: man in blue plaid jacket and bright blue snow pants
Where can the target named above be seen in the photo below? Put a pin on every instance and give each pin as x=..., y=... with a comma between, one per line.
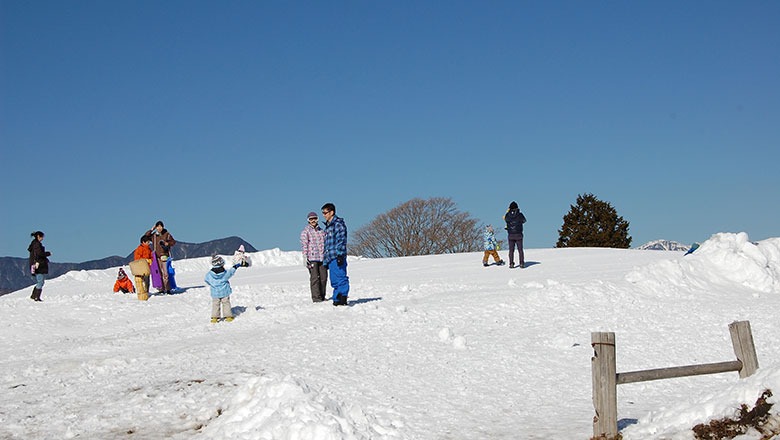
x=336, y=254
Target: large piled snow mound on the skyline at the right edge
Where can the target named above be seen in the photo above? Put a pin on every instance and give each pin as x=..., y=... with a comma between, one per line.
x=724, y=259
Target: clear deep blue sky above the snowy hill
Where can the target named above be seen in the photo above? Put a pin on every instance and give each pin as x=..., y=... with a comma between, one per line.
x=239, y=117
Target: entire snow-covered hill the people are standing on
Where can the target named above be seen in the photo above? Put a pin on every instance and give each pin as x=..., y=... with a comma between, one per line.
x=431, y=347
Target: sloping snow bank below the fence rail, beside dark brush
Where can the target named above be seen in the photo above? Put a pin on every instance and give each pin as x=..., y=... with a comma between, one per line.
x=676, y=422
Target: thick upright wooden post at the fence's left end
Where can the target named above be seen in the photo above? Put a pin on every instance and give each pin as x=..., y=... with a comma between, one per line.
x=604, y=370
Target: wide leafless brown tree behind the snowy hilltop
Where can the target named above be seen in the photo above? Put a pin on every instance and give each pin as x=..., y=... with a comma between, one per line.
x=418, y=227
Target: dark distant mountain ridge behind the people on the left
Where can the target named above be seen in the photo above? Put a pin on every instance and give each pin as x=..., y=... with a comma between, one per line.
x=15, y=272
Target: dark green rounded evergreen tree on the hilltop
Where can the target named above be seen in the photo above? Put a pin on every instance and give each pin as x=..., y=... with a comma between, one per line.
x=593, y=223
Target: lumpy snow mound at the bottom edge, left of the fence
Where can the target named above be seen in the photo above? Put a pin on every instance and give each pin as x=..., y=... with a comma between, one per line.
x=287, y=408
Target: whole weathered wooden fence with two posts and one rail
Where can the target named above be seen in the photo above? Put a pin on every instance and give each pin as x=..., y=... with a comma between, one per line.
x=606, y=379
